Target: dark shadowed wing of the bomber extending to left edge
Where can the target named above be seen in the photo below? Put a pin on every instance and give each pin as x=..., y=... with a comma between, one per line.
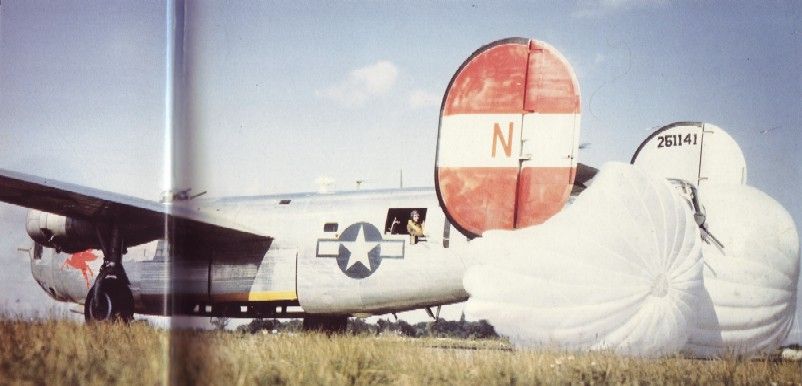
x=138, y=219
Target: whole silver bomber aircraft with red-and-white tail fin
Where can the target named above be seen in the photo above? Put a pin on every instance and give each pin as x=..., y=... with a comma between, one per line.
x=506, y=158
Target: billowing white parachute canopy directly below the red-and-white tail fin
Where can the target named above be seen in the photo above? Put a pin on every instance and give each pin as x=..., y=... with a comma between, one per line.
x=620, y=269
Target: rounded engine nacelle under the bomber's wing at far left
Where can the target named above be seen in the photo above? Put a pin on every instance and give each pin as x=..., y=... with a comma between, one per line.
x=62, y=233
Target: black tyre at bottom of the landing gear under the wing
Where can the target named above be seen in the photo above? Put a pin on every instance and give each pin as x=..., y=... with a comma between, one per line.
x=114, y=302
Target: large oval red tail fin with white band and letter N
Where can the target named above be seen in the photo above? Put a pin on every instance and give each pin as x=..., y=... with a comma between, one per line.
x=508, y=137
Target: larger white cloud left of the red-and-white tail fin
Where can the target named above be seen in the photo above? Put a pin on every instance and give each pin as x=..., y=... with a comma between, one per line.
x=361, y=84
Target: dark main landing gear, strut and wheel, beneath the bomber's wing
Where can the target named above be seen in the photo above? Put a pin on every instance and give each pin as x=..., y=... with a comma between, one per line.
x=110, y=297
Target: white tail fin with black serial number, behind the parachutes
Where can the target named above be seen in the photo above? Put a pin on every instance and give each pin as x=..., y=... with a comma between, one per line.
x=695, y=152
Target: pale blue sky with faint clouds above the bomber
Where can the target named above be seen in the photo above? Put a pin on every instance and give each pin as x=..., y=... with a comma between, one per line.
x=281, y=94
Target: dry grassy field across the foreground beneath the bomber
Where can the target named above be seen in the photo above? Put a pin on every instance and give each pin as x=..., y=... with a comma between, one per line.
x=58, y=352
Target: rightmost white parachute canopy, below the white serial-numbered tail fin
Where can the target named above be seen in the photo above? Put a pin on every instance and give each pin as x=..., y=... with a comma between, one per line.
x=750, y=284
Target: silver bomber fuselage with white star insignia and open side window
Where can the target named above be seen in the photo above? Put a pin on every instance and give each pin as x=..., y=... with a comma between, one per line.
x=337, y=254
